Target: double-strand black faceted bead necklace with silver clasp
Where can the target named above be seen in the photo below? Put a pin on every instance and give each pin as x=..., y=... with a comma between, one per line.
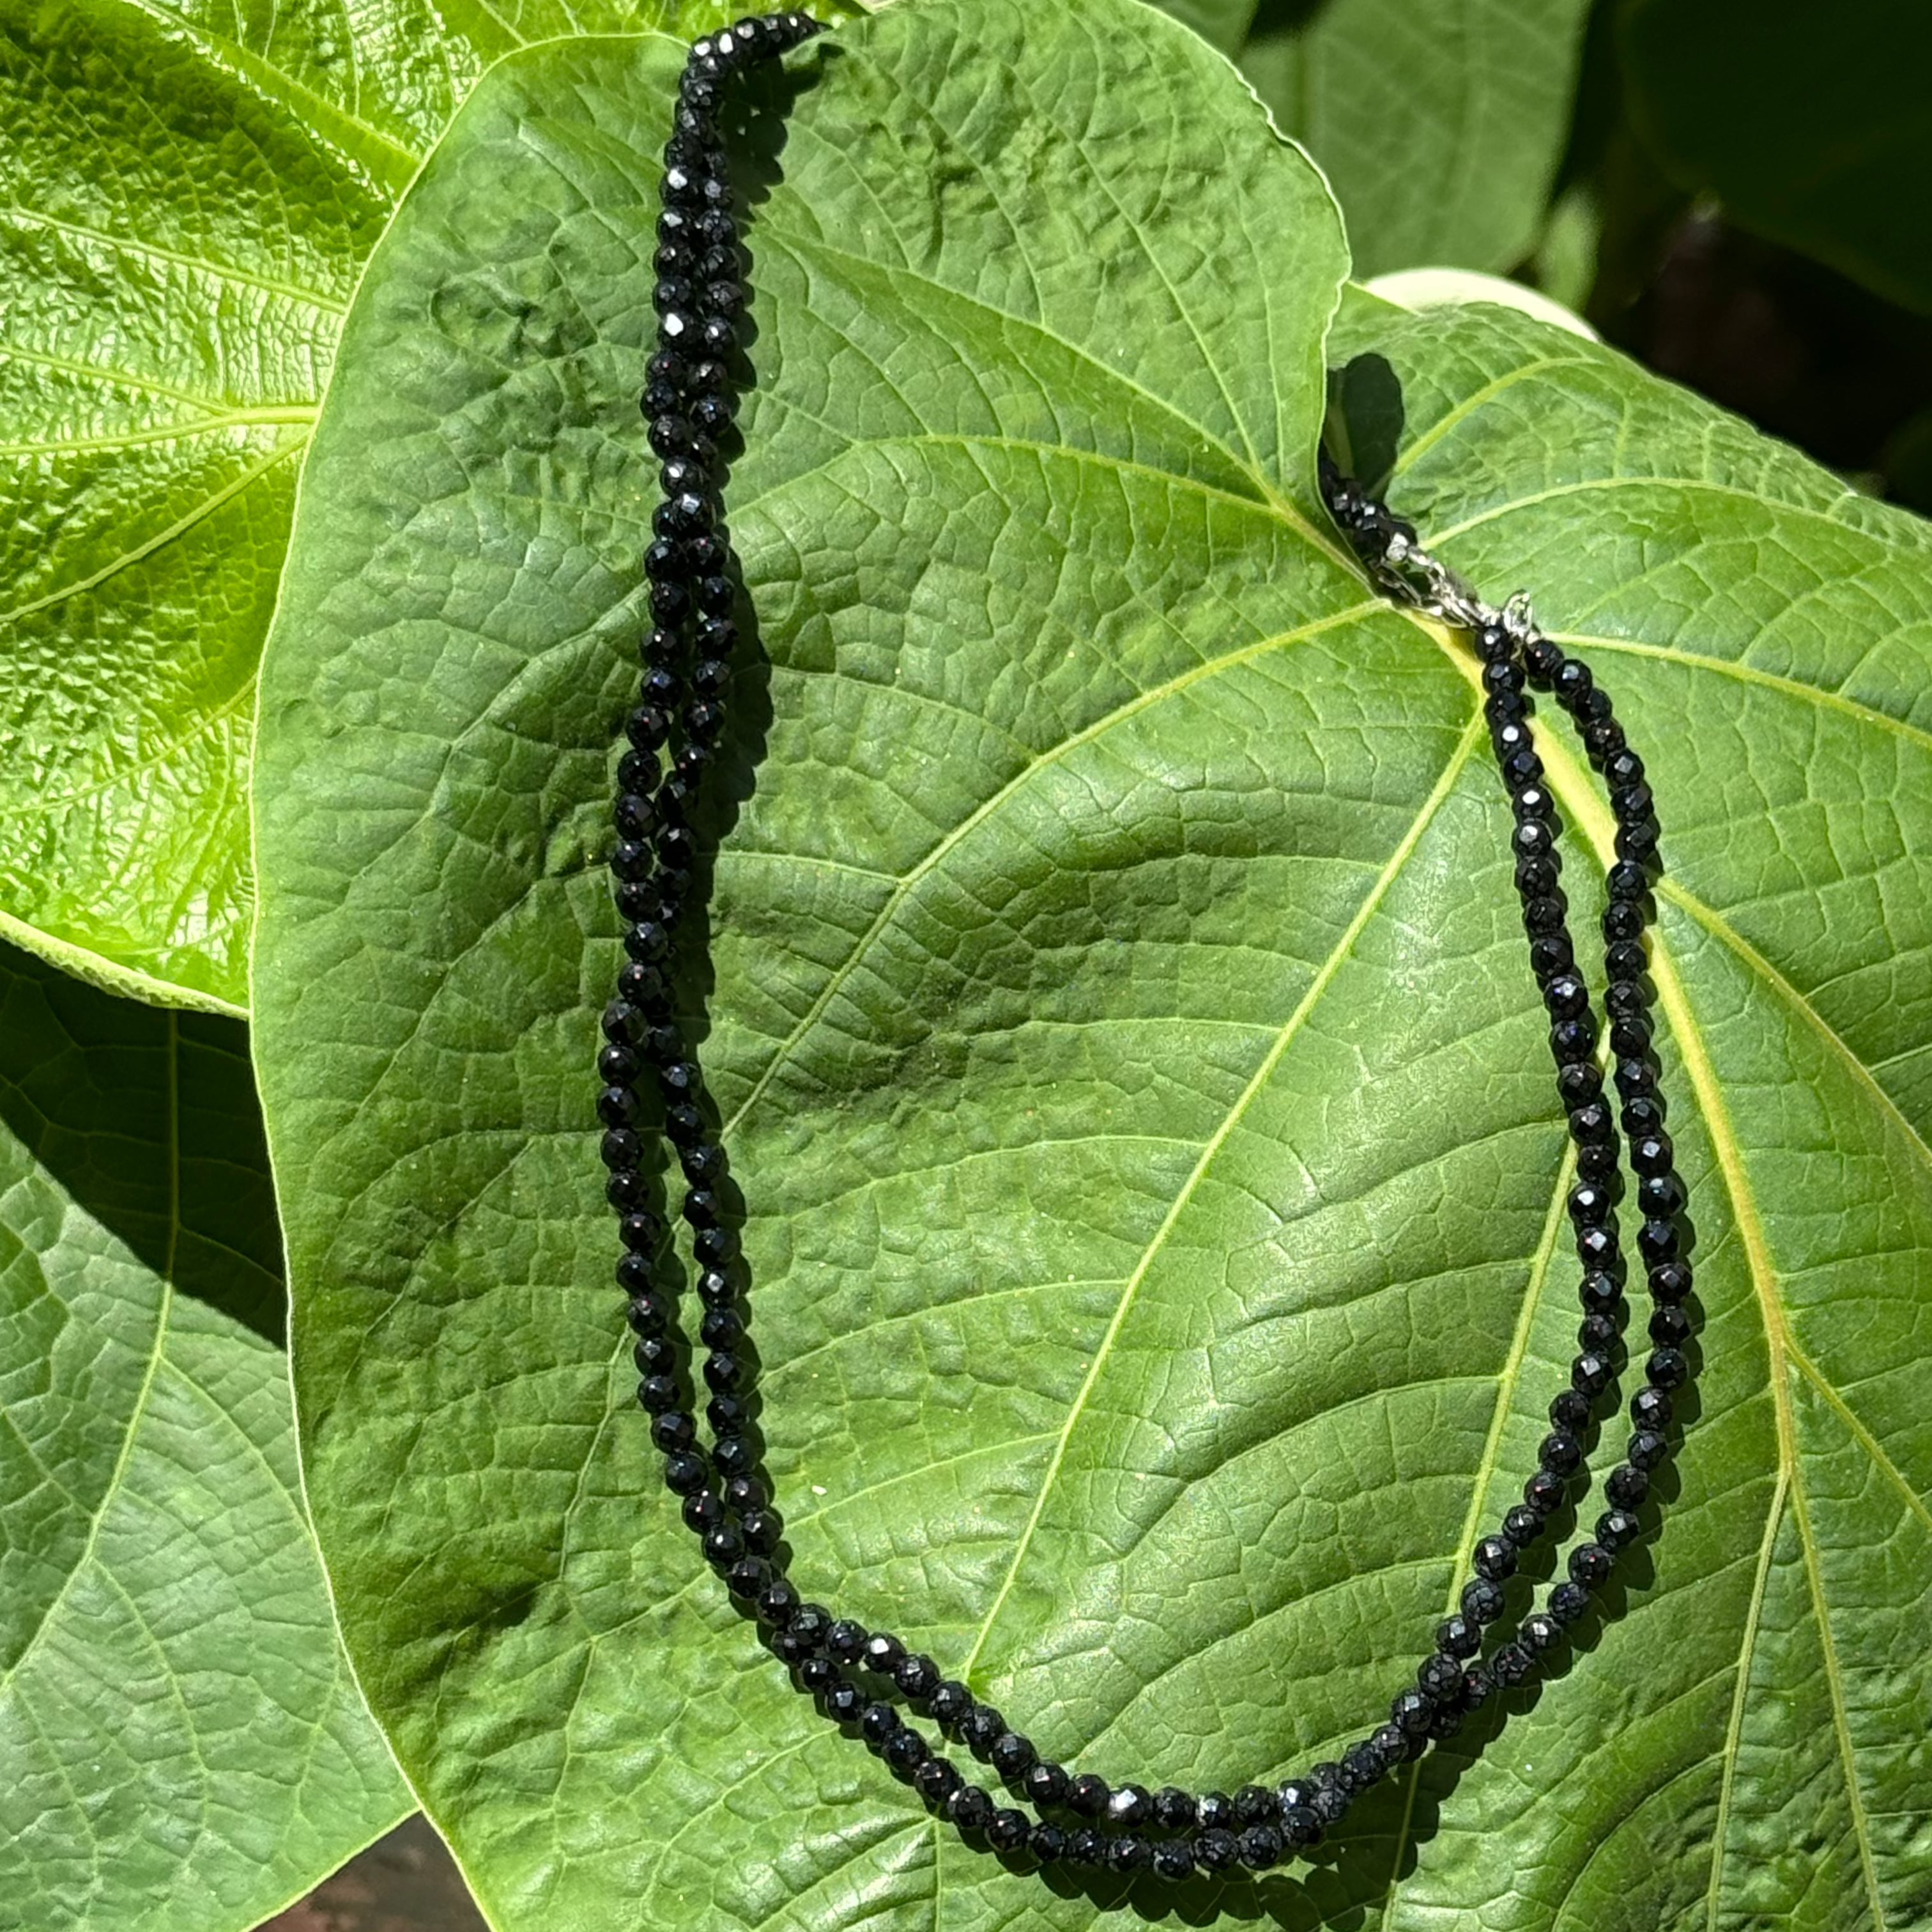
x=863, y=1678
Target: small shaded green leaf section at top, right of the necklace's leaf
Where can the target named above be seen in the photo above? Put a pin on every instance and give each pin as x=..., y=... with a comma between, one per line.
x=1440, y=123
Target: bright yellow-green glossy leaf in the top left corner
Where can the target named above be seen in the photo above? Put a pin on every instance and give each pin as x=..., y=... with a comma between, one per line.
x=190, y=194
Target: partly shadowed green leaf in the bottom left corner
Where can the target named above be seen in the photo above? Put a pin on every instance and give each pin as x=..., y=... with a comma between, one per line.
x=183, y=1742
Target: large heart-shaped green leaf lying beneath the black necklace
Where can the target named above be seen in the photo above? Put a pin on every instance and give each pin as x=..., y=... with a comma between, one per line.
x=1122, y=1023
